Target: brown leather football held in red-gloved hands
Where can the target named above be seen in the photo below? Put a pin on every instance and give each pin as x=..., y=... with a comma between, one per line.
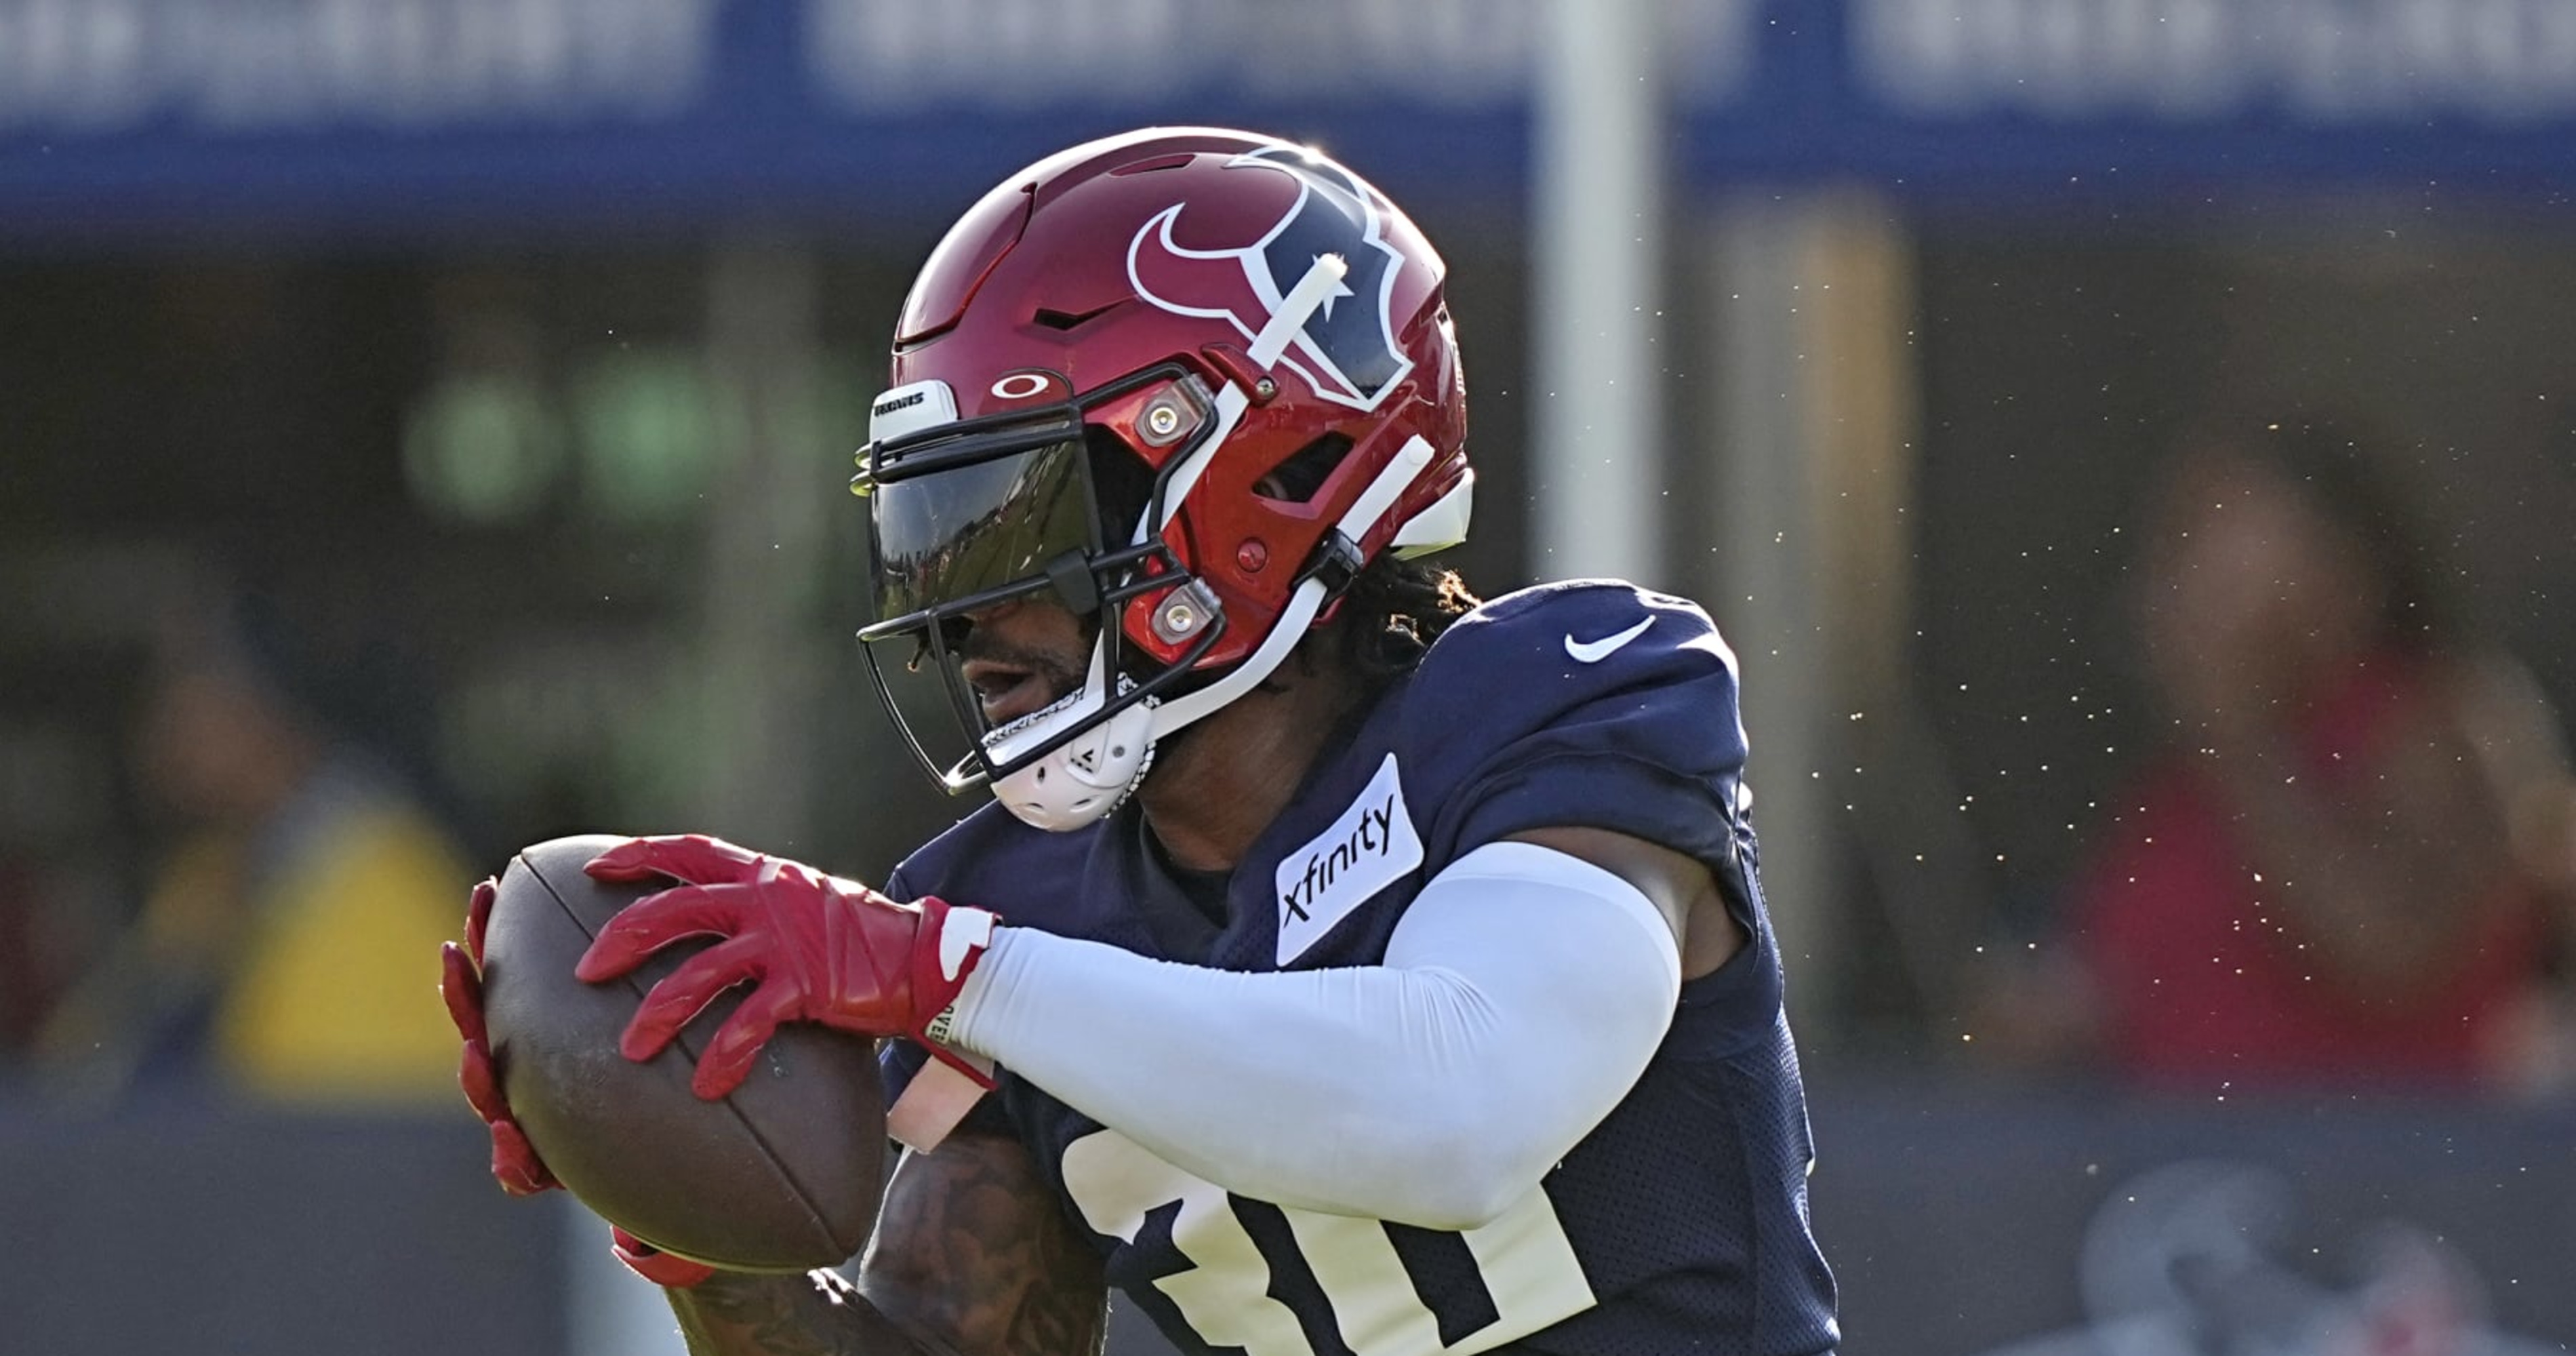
x=779, y=1177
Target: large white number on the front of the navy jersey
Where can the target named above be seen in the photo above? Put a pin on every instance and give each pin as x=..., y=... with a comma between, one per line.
x=1225, y=1293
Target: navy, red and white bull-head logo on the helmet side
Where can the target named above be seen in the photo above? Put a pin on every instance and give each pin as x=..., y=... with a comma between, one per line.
x=1349, y=347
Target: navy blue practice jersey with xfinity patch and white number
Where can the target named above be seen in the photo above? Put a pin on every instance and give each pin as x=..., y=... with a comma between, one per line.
x=1676, y=1226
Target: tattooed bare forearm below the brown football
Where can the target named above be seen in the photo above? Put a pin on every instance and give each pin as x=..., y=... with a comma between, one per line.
x=970, y=1259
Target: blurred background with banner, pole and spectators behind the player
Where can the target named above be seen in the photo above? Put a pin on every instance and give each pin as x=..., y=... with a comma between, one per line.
x=2129, y=445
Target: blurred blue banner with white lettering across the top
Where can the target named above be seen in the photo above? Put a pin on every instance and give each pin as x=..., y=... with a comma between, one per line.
x=419, y=115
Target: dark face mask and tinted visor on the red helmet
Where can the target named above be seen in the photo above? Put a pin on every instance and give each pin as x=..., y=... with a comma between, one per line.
x=1045, y=507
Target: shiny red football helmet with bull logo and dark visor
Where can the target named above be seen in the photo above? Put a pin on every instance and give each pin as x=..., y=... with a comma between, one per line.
x=1189, y=380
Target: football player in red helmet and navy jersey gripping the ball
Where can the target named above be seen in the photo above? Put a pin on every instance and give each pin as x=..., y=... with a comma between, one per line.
x=1356, y=968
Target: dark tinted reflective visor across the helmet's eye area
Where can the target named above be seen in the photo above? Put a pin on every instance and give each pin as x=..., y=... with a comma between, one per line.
x=975, y=527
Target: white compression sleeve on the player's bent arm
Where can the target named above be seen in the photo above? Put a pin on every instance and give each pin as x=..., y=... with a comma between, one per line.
x=1519, y=1002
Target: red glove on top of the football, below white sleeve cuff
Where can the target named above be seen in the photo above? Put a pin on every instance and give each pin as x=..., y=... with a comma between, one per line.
x=815, y=950
